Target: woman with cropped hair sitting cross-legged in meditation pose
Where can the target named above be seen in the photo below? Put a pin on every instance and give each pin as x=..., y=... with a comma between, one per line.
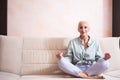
x=84, y=57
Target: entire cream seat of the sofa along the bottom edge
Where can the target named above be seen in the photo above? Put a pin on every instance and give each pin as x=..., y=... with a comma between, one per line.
x=112, y=75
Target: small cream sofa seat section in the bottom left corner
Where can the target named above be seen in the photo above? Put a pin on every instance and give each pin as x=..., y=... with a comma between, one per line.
x=8, y=76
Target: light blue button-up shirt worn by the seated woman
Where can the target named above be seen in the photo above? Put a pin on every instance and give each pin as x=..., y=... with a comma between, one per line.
x=78, y=54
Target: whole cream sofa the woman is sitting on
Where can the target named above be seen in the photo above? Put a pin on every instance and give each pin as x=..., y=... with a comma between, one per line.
x=33, y=58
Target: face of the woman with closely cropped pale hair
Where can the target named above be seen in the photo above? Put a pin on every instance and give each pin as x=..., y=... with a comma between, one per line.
x=83, y=28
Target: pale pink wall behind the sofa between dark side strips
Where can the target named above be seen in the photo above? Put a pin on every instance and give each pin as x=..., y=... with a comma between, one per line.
x=58, y=18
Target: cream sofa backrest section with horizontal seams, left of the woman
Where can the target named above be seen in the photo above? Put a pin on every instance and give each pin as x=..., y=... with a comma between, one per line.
x=39, y=55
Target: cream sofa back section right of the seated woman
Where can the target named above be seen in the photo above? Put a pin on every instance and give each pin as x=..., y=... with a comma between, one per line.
x=111, y=45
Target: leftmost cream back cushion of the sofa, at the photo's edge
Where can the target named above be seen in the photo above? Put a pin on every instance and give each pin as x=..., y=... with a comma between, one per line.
x=11, y=49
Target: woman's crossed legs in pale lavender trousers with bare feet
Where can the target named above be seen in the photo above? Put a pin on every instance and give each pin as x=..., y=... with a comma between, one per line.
x=96, y=69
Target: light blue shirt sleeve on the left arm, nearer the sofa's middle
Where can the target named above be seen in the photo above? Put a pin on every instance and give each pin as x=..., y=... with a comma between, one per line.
x=69, y=52
